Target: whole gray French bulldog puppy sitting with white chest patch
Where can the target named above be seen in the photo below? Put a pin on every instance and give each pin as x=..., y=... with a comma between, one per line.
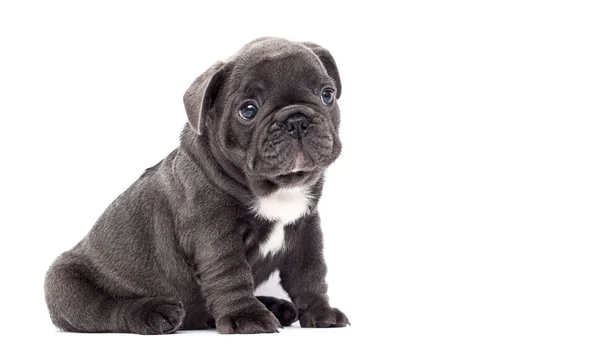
x=185, y=246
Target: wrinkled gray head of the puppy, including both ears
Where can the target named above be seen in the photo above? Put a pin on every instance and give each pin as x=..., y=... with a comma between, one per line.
x=271, y=110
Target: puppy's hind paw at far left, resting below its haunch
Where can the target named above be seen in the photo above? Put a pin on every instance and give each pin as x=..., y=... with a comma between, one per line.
x=156, y=316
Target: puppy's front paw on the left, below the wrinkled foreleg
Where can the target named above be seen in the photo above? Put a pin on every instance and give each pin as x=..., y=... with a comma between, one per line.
x=248, y=322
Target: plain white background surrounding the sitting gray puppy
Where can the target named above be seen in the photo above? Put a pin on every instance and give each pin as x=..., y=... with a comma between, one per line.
x=462, y=221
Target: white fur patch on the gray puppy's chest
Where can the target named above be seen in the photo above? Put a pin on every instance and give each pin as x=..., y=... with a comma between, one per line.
x=282, y=207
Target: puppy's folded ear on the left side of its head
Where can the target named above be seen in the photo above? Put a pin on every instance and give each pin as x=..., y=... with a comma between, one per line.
x=200, y=96
